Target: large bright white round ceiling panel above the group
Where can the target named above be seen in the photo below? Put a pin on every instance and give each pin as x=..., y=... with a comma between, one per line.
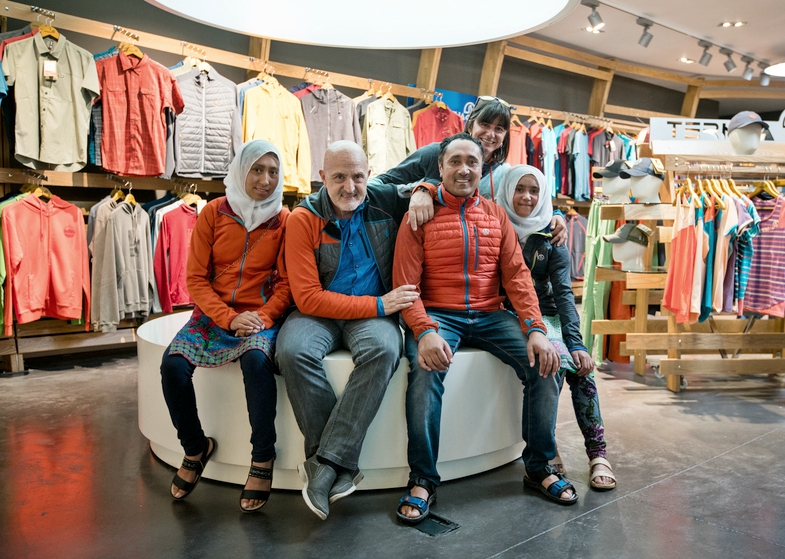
x=359, y=24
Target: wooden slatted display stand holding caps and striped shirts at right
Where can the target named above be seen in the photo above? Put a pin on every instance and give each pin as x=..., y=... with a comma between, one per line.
x=692, y=348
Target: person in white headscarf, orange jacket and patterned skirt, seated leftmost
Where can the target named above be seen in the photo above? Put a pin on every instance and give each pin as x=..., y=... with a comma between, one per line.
x=237, y=280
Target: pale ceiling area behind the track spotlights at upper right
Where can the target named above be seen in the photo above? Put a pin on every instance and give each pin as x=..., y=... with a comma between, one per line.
x=761, y=38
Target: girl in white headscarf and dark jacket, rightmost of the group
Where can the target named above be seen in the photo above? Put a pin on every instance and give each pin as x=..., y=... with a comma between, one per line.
x=523, y=194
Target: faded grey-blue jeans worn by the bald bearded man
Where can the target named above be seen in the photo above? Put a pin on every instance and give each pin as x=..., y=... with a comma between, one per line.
x=334, y=428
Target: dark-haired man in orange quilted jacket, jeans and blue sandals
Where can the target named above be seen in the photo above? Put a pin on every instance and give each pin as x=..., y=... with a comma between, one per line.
x=458, y=261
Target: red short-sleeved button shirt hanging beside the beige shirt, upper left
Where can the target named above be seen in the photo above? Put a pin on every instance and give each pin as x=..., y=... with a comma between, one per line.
x=136, y=93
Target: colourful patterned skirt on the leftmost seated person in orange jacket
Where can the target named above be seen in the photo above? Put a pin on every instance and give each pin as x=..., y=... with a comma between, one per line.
x=205, y=344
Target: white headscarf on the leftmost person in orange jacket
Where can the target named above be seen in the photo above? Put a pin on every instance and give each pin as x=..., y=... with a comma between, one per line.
x=252, y=213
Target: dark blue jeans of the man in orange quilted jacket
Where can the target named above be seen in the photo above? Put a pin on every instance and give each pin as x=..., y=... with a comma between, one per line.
x=499, y=333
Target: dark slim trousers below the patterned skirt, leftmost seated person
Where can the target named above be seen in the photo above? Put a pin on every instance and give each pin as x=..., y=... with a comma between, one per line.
x=260, y=397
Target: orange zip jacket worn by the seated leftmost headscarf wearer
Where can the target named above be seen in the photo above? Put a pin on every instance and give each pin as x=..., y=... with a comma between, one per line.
x=224, y=281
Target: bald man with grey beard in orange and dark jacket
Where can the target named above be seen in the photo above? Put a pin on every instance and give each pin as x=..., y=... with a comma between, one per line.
x=339, y=256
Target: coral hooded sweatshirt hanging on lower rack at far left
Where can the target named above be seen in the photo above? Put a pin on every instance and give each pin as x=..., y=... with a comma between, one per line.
x=46, y=261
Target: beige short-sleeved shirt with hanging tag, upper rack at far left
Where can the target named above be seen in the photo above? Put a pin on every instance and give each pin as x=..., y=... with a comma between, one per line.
x=52, y=113
